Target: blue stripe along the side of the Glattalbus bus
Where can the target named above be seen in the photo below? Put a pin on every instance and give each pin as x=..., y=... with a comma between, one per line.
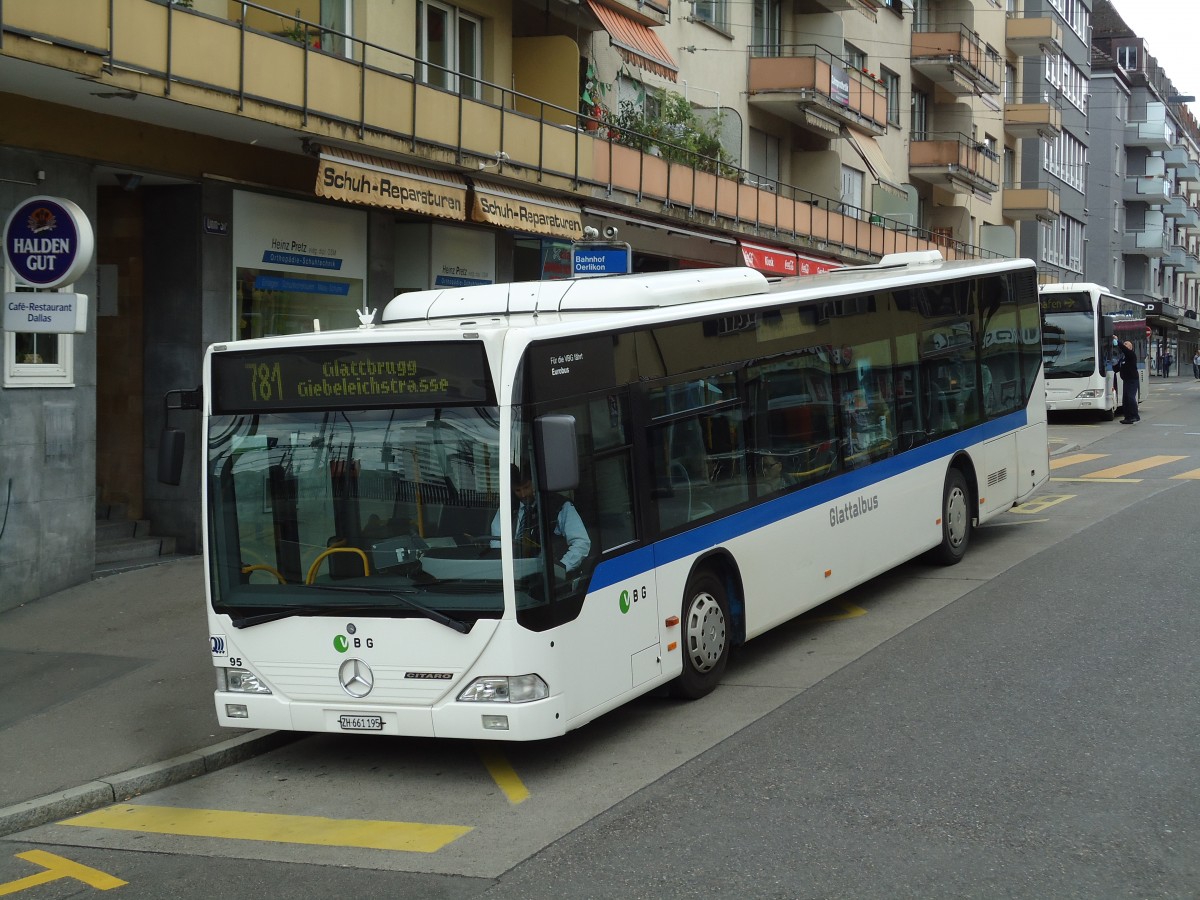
x=681, y=547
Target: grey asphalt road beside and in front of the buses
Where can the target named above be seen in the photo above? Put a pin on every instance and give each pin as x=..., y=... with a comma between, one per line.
x=1022, y=725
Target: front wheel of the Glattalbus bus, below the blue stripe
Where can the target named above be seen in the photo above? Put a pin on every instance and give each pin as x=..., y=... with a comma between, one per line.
x=706, y=637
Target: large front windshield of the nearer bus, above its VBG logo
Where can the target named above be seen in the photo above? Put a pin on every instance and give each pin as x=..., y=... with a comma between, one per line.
x=314, y=512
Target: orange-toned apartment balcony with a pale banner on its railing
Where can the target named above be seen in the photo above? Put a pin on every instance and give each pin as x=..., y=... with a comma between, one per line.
x=811, y=88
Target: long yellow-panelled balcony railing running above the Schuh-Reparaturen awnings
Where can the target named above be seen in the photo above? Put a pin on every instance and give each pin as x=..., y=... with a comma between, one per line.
x=388, y=103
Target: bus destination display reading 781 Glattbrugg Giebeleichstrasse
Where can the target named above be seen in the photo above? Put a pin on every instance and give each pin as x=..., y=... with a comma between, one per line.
x=350, y=377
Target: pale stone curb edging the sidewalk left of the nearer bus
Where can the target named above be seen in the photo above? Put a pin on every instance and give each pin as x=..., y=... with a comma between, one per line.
x=128, y=785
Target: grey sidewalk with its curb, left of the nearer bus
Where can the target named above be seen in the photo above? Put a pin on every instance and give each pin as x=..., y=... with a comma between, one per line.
x=106, y=692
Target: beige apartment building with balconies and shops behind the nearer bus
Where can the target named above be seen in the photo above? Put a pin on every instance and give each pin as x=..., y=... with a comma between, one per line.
x=257, y=169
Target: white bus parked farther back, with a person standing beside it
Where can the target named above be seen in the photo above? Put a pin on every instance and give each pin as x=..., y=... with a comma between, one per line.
x=1079, y=325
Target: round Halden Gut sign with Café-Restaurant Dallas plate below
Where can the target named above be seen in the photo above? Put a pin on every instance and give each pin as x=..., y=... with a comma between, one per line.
x=47, y=243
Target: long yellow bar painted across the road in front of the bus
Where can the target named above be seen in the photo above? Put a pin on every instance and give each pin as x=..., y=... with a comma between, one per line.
x=412, y=837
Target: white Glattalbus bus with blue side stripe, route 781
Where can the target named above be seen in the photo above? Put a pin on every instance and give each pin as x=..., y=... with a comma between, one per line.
x=352, y=482
